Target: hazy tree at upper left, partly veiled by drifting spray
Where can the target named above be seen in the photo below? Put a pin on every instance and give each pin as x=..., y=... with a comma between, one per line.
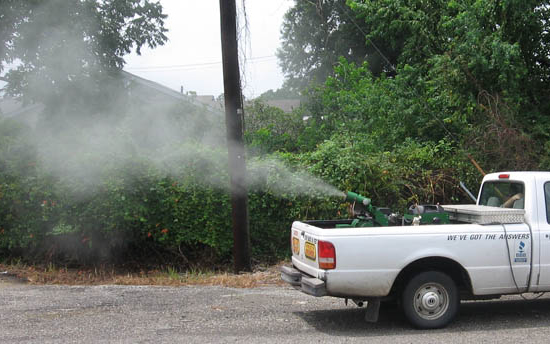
x=59, y=48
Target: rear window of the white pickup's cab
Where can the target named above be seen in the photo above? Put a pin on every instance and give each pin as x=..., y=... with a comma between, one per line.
x=504, y=194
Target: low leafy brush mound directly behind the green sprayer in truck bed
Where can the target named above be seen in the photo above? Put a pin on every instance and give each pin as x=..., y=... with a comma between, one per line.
x=410, y=172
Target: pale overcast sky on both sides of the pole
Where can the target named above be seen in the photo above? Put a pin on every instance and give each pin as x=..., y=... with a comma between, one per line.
x=192, y=56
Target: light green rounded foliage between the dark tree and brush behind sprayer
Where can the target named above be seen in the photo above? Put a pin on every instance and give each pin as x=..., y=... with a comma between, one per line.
x=387, y=109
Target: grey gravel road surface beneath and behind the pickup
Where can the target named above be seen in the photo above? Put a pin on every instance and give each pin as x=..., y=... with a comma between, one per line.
x=134, y=314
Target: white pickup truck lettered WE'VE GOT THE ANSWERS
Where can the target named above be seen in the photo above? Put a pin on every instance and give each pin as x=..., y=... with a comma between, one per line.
x=499, y=246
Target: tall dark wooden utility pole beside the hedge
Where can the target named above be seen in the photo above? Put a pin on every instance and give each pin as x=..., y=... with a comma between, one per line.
x=234, y=123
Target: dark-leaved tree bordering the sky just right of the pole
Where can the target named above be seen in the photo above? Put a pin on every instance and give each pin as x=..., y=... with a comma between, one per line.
x=315, y=33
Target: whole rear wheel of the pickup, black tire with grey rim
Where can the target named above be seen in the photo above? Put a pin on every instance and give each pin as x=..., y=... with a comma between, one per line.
x=430, y=300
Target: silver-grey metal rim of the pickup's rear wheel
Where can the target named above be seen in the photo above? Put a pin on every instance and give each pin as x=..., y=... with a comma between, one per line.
x=431, y=301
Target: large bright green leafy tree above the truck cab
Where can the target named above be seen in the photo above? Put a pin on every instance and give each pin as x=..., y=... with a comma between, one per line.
x=483, y=64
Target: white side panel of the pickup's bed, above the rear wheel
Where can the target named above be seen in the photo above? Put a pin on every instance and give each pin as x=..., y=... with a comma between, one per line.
x=481, y=250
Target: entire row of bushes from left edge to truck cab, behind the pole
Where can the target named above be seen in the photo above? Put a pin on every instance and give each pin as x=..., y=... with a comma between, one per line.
x=178, y=211
